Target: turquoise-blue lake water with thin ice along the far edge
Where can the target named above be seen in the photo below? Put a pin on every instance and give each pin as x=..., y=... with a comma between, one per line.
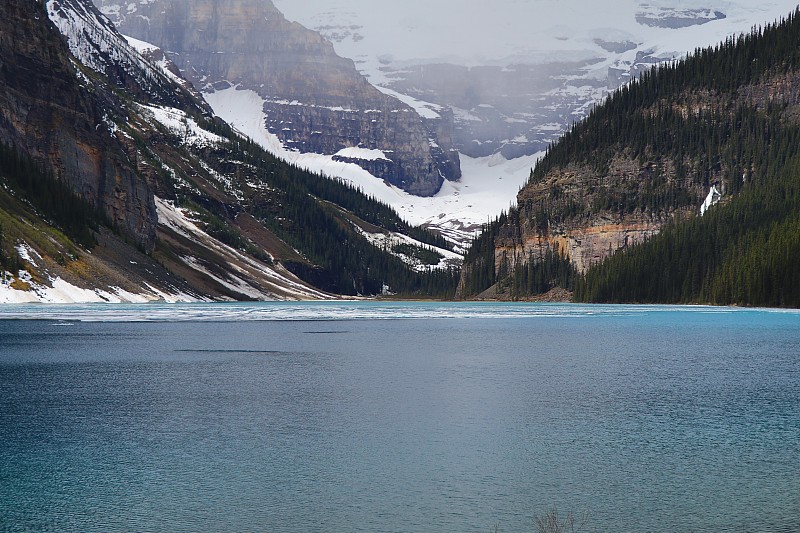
x=381, y=417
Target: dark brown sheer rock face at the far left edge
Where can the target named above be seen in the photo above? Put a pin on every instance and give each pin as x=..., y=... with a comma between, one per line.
x=46, y=114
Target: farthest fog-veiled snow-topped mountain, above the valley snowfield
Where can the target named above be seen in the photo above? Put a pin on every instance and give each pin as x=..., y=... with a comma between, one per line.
x=517, y=73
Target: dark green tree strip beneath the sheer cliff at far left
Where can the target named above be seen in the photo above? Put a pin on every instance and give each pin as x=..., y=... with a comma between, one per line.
x=53, y=198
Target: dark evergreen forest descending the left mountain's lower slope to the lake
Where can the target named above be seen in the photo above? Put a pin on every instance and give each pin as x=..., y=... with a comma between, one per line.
x=298, y=206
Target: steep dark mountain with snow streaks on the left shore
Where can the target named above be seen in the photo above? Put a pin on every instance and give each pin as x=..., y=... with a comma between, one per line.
x=119, y=184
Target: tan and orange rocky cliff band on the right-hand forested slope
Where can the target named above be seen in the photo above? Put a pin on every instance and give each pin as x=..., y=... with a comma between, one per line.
x=588, y=215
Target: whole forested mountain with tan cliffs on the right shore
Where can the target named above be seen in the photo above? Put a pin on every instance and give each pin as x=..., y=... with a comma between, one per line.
x=682, y=187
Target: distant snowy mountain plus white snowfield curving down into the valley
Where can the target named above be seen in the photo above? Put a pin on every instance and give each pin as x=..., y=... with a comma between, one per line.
x=512, y=74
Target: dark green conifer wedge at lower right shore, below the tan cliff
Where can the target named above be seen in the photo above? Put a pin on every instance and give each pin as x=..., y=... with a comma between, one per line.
x=746, y=252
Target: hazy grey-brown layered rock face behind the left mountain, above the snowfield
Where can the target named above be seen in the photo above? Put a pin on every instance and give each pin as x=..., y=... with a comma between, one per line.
x=314, y=100
